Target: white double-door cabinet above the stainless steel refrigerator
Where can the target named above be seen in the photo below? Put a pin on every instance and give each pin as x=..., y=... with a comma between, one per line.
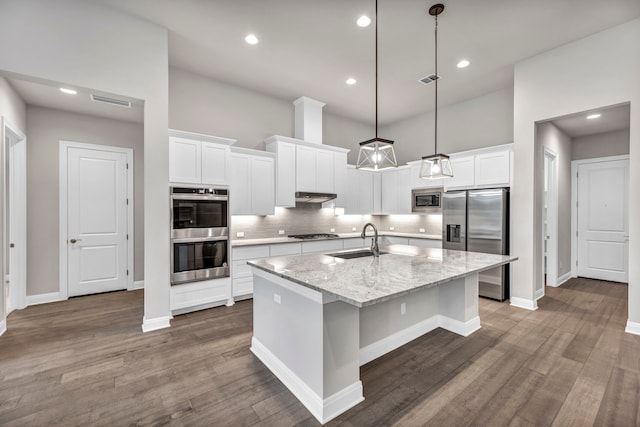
x=483, y=168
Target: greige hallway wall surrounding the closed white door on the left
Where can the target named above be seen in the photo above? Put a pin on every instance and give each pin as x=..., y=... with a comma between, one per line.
x=46, y=127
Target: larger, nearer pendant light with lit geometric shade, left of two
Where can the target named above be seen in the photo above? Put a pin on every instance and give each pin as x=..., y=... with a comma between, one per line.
x=376, y=153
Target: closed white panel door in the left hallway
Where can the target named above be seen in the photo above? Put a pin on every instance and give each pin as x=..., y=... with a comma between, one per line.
x=96, y=221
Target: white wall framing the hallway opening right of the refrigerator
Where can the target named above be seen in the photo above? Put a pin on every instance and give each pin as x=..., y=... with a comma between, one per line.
x=563, y=81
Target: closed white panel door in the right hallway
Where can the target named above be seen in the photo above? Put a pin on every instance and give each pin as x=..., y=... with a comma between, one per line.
x=603, y=220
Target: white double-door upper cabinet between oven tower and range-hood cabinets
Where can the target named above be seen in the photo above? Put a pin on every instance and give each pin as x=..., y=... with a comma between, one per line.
x=252, y=182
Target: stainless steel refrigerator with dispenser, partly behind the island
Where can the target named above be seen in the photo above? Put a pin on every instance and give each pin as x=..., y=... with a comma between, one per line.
x=478, y=221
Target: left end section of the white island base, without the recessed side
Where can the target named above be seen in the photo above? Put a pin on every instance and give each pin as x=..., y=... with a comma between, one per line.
x=310, y=342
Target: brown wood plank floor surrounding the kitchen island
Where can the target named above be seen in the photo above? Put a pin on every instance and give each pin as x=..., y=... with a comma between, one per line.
x=86, y=362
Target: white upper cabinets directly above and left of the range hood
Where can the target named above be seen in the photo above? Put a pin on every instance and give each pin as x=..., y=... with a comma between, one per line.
x=305, y=166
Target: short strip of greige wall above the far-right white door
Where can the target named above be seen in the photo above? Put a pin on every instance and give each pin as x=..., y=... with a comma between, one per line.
x=600, y=145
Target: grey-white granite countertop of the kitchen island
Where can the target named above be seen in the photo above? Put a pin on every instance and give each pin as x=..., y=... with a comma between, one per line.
x=367, y=281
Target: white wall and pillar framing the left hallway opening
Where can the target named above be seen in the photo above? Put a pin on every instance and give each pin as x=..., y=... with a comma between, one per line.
x=93, y=47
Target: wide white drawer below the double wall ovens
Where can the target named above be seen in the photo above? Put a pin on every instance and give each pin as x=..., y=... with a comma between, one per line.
x=195, y=296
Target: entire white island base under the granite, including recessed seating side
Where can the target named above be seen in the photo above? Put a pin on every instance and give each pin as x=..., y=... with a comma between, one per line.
x=315, y=343
